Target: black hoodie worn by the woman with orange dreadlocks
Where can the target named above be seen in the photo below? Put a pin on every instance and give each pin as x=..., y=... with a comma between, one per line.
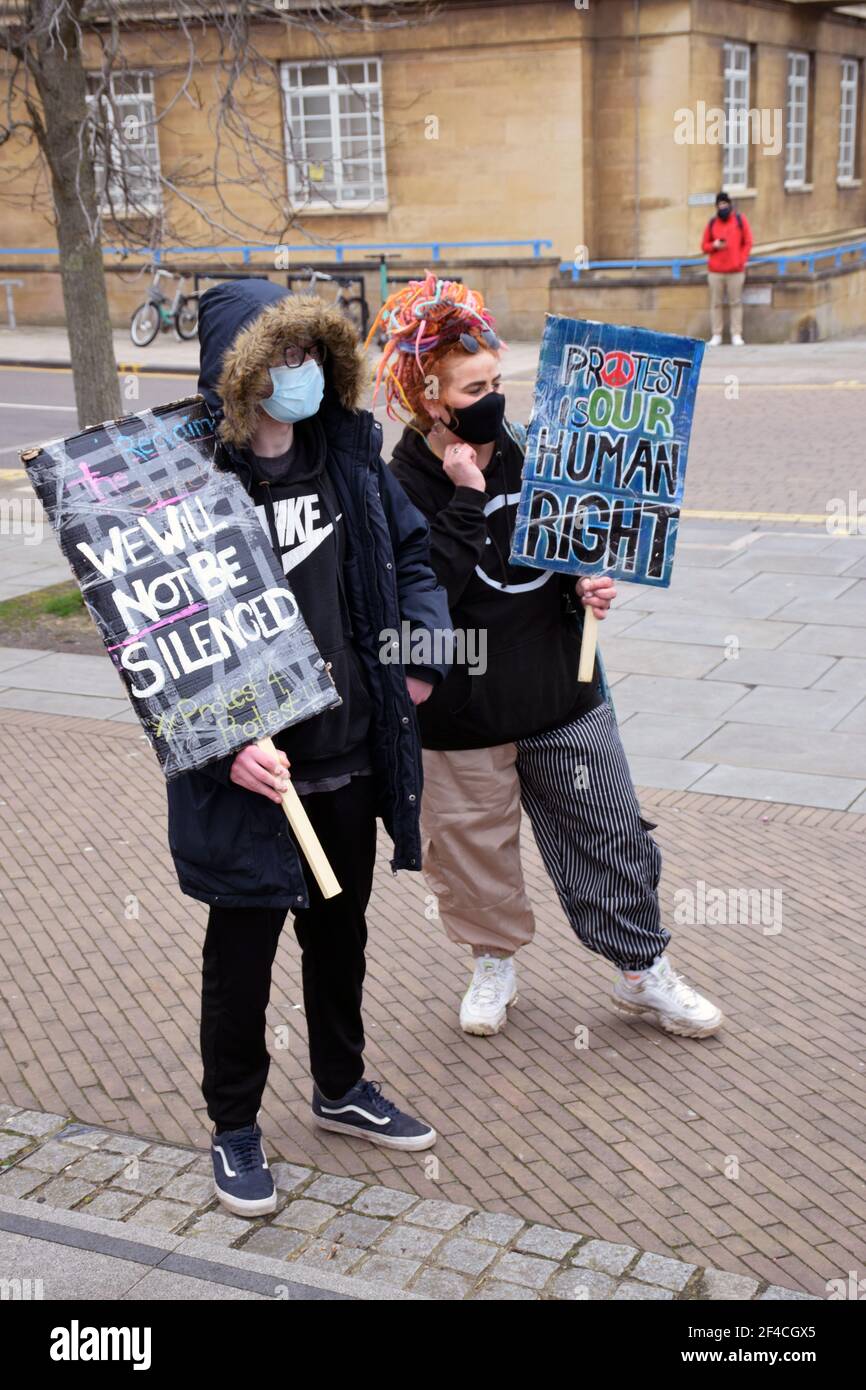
x=530, y=616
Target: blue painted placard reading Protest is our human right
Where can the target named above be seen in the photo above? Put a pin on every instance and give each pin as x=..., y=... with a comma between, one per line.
x=607, y=451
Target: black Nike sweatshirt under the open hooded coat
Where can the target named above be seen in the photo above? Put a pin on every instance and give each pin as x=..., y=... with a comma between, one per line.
x=298, y=508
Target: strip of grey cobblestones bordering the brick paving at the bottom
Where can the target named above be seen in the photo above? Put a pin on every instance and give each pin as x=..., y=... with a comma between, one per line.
x=382, y=1235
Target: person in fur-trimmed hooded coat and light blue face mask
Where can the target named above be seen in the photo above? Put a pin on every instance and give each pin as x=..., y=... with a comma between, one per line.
x=283, y=376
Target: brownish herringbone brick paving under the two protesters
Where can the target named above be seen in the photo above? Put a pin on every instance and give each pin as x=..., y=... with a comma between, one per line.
x=742, y=1153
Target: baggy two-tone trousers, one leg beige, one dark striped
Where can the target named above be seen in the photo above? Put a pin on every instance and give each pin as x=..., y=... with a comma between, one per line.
x=575, y=785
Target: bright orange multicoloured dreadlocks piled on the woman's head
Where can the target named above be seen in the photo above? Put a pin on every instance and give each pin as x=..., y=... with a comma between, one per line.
x=425, y=322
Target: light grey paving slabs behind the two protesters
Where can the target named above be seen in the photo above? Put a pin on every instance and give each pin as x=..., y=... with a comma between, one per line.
x=746, y=679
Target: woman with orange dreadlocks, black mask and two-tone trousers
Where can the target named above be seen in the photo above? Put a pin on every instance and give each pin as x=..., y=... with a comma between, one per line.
x=522, y=732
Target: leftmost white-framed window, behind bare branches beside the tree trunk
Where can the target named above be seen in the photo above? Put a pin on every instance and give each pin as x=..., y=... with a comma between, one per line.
x=124, y=144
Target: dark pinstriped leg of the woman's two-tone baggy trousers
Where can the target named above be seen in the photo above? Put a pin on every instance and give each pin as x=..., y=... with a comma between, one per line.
x=578, y=792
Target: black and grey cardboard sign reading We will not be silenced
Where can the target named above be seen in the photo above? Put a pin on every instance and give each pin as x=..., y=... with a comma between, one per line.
x=183, y=584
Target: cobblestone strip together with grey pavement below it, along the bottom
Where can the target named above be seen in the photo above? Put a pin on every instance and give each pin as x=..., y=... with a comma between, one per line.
x=151, y=1227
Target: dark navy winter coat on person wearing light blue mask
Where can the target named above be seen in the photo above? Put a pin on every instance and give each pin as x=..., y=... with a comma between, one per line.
x=234, y=847
